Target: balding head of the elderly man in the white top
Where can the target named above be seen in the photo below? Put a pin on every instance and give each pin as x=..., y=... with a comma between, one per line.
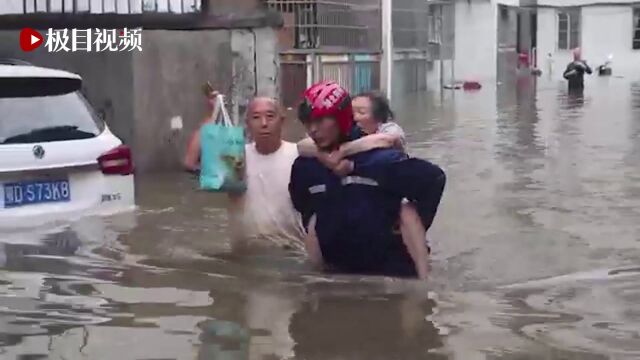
x=264, y=123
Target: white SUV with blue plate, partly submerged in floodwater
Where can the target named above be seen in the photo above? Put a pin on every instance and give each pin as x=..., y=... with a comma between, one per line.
x=58, y=160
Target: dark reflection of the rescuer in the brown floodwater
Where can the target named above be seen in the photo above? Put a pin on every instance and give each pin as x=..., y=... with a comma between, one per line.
x=346, y=327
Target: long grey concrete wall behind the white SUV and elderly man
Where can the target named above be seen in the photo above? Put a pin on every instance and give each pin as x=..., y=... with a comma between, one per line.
x=140, y=93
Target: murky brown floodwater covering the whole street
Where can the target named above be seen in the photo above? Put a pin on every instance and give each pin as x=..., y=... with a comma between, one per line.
x=536, y=254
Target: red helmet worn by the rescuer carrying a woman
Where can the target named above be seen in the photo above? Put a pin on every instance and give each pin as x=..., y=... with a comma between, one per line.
x=328, y=99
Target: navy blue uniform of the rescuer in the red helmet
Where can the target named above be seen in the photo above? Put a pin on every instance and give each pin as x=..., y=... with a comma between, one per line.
x=356, y=215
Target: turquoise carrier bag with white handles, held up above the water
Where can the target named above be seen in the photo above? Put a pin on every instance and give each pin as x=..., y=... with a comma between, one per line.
x=222, y=157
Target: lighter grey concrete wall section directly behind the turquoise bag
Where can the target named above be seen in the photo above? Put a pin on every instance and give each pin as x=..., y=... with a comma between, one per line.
x=168, y=76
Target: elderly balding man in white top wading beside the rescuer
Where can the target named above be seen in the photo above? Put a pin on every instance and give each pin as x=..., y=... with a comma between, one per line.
x=264, y=214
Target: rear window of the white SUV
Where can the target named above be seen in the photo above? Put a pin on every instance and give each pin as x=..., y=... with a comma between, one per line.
x=47, y=118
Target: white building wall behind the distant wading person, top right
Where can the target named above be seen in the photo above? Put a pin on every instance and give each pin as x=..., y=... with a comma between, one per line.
x=605, y=30
